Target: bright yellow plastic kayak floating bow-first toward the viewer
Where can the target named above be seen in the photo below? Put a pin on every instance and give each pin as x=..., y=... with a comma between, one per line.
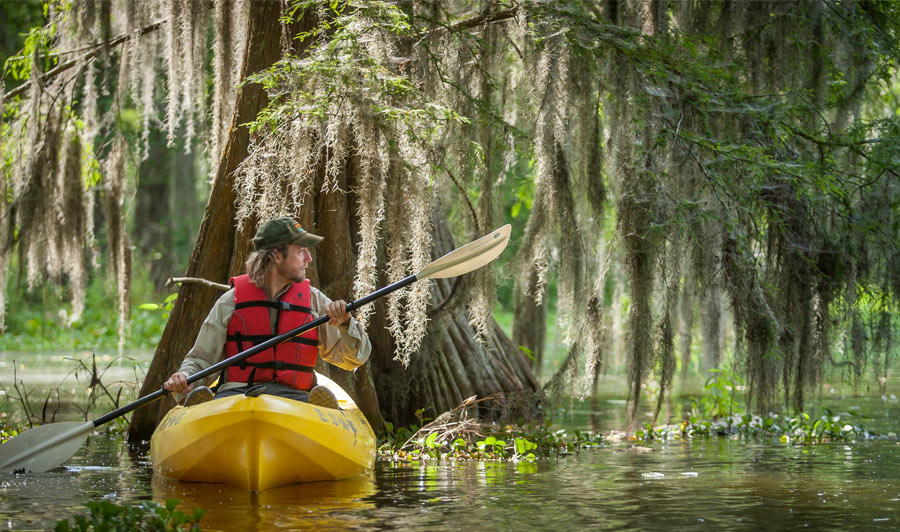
x=265, y=441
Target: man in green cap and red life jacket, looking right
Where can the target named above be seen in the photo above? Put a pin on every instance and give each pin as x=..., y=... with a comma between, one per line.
x=274, y=297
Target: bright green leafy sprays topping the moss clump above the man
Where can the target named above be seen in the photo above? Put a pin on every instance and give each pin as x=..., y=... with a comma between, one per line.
x=338, y=65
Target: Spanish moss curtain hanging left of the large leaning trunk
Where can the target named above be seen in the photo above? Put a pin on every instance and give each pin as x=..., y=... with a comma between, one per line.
x=54, y=127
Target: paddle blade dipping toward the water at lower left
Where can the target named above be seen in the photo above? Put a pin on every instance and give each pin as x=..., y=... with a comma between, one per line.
x=45, y=447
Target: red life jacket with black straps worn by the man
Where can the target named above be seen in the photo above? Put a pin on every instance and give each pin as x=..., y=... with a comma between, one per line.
x=290, y=362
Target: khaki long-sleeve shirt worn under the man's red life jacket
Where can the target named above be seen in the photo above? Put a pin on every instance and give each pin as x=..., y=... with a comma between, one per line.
x=346, y=346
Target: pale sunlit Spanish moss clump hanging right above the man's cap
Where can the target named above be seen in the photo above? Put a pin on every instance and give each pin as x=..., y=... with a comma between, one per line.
x=311, y=131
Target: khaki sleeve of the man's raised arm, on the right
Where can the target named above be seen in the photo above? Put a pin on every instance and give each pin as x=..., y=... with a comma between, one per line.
x=345, y=346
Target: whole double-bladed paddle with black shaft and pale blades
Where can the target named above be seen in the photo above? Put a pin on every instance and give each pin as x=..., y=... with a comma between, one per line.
x=48, y=446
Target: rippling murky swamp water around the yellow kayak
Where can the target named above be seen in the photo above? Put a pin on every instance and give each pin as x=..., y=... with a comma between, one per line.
x=714, y=483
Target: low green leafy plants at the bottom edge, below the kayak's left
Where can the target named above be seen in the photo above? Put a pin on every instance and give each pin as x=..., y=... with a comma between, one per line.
x=144, y=516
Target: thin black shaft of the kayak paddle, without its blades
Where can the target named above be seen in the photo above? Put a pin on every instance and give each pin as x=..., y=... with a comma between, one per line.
x=162, y=392
